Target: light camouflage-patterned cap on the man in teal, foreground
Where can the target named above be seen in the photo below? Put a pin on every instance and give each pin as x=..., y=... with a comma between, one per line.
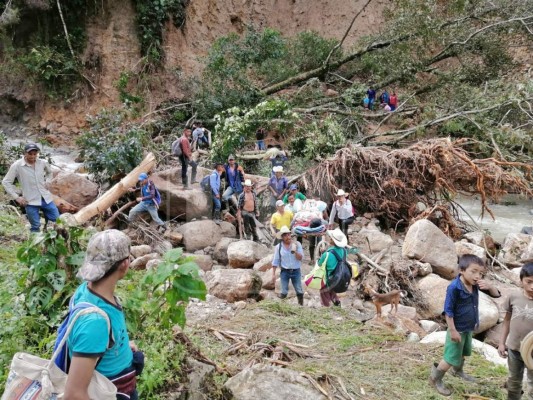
x=103, y=251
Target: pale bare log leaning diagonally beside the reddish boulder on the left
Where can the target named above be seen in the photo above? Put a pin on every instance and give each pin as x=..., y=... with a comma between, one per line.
x=112, y=195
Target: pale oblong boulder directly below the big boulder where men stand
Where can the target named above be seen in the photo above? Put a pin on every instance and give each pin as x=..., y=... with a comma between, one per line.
x=201, y=234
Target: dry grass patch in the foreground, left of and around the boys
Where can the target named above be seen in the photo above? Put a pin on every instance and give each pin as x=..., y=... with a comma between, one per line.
x=376, y=361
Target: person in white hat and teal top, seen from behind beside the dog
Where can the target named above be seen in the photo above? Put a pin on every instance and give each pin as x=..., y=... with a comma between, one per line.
x=336, y=252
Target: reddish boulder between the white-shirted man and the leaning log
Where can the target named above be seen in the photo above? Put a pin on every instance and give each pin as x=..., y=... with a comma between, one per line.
x=73, y=188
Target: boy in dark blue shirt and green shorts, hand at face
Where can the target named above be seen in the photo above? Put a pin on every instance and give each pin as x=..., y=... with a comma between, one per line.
x=461, y=309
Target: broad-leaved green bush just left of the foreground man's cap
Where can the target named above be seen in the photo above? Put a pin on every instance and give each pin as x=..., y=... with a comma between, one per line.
x=52, y=258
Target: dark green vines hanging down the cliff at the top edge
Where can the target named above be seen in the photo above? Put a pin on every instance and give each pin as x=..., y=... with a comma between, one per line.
x=152, y=16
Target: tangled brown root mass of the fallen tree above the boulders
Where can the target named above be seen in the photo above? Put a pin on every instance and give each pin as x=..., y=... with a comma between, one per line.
x=390, y=183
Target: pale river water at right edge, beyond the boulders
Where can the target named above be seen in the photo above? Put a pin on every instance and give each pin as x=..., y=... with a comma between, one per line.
x=511, y=215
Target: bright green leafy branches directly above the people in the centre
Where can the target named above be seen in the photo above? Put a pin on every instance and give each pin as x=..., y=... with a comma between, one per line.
x=235, y=125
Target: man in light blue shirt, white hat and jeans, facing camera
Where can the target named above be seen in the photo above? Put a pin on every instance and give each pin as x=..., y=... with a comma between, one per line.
x=288, y=257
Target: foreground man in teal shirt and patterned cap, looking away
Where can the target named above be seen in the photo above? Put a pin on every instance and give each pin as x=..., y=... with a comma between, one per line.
x=90, y=345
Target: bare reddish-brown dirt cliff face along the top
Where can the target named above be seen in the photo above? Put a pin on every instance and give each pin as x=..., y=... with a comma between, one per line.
x=113, y=47
